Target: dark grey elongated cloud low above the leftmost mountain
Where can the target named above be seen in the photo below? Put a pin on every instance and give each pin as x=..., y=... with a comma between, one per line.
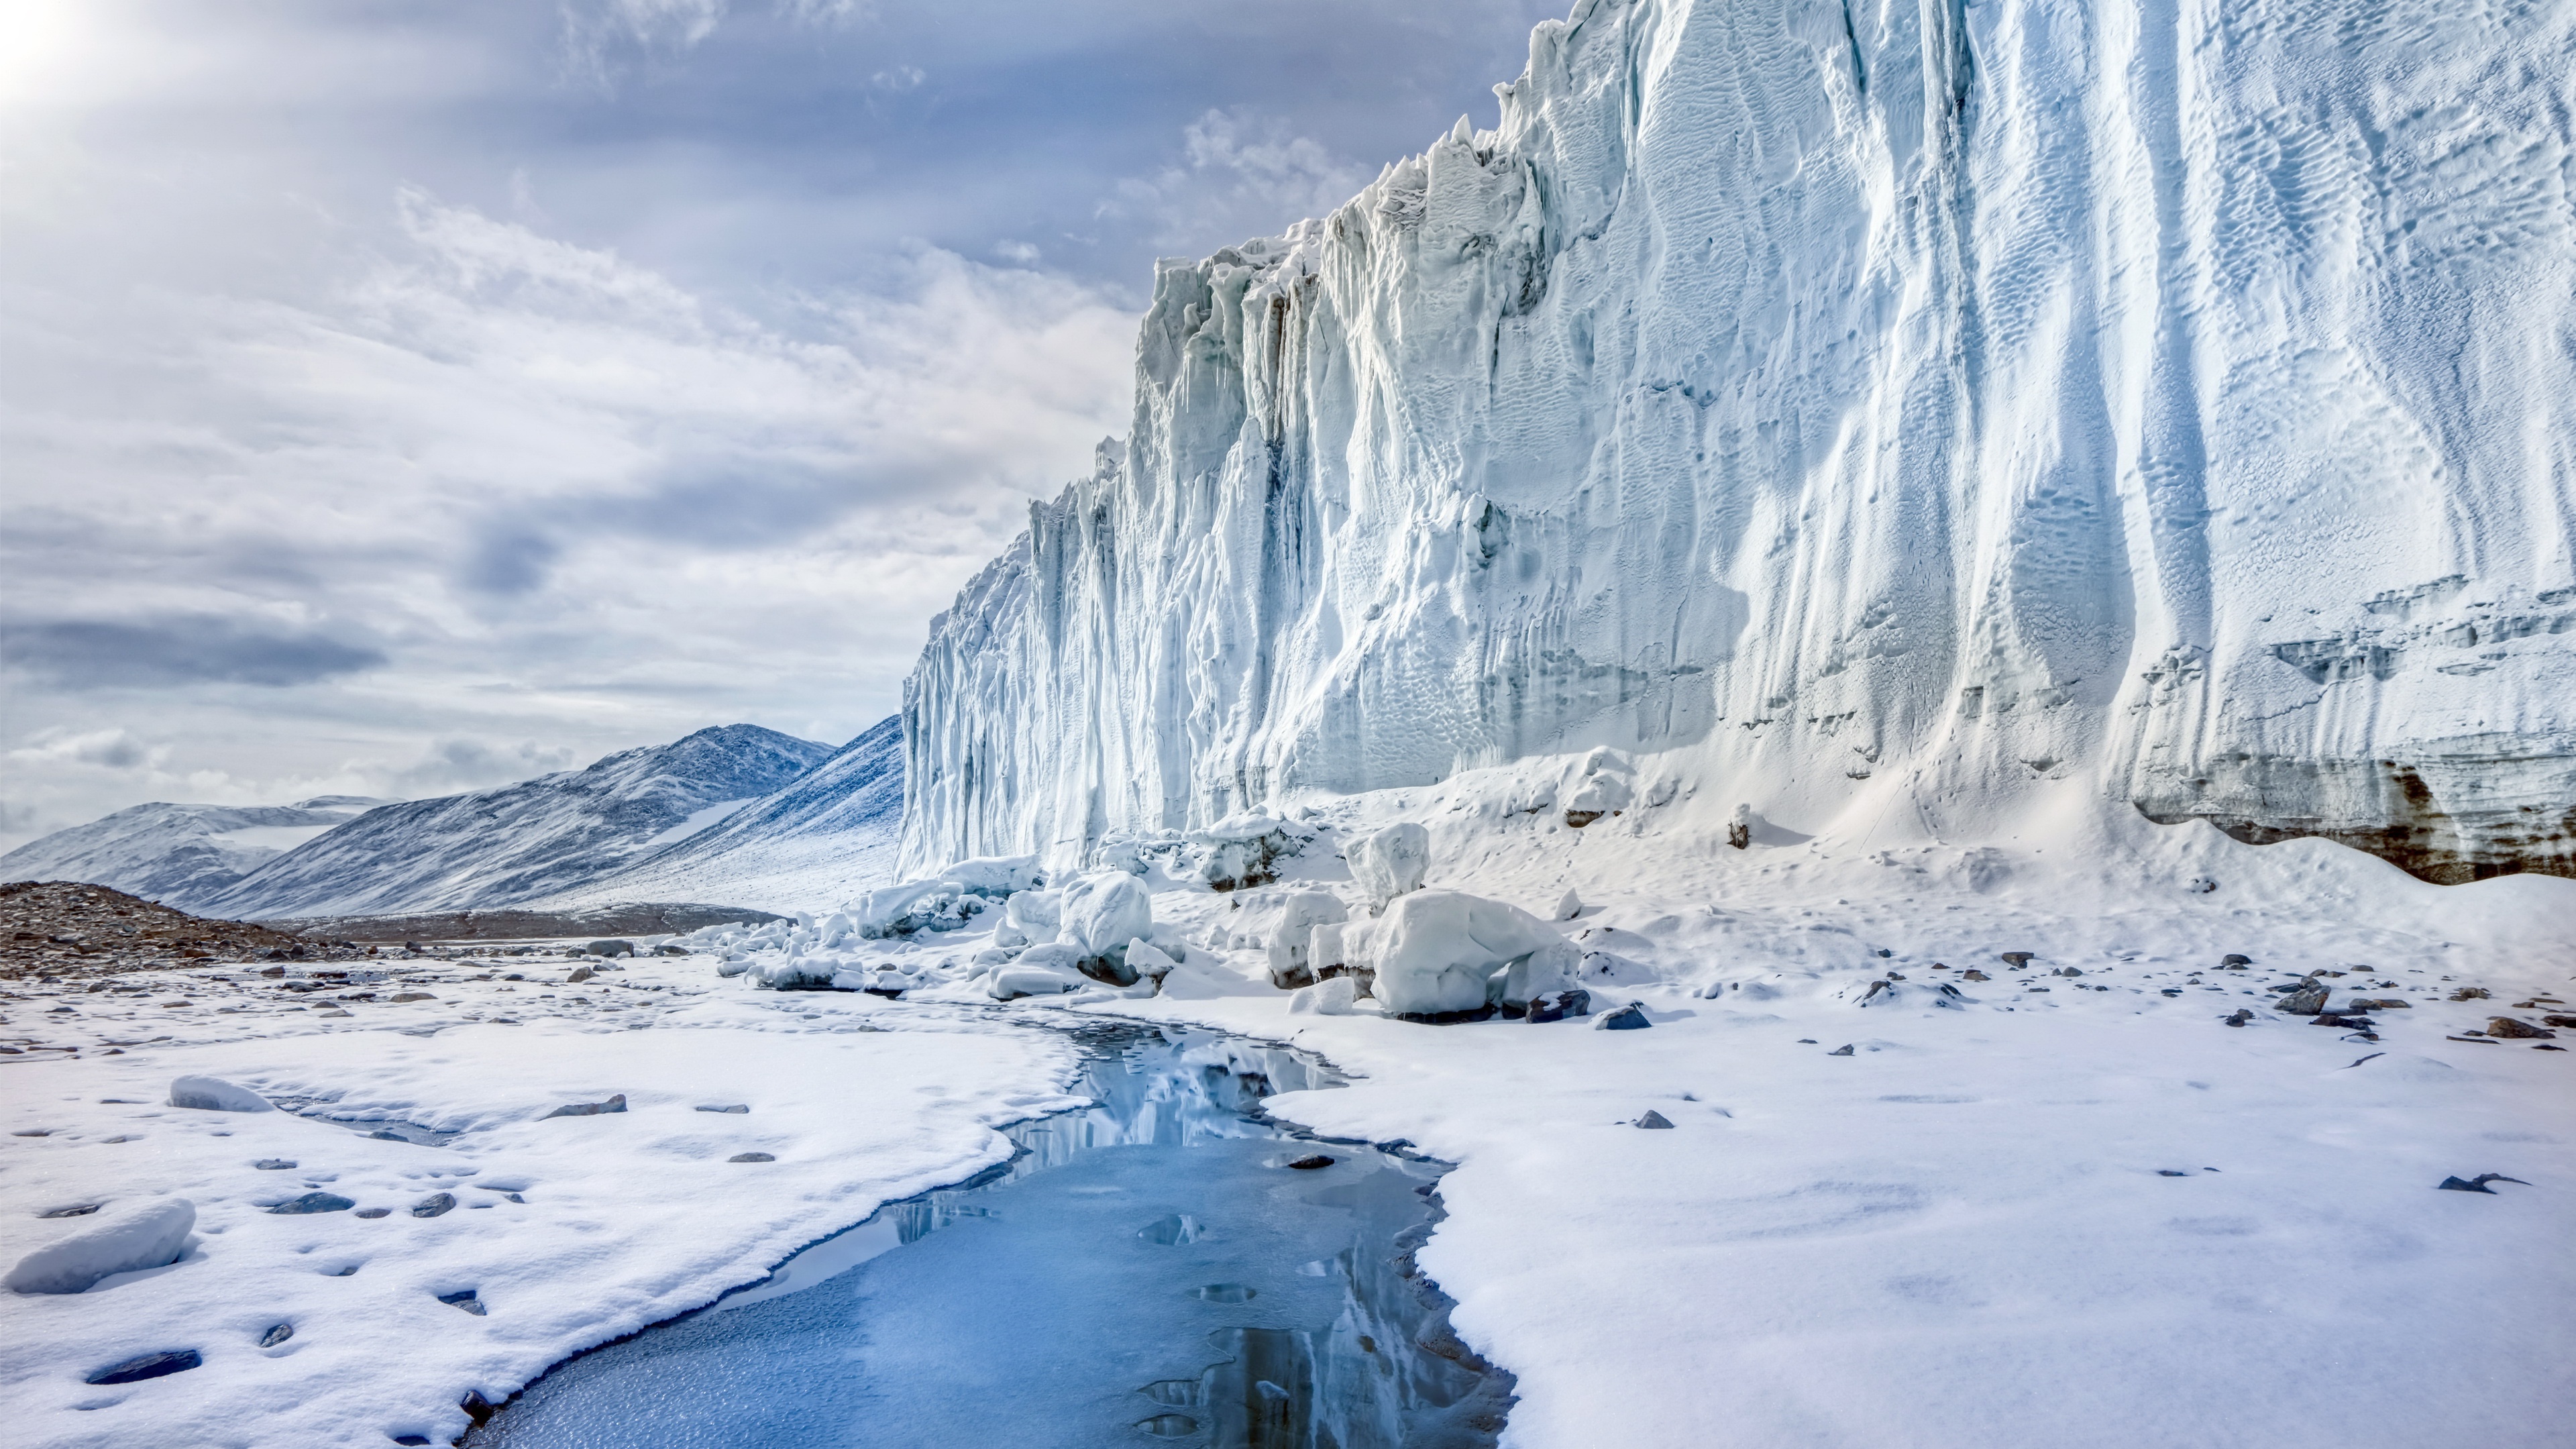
x=97, y=654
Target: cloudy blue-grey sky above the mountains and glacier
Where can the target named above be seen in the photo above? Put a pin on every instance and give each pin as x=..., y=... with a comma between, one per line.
x=406, y=398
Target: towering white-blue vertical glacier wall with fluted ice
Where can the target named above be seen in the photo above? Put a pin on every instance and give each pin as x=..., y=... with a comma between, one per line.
x=1853, y=404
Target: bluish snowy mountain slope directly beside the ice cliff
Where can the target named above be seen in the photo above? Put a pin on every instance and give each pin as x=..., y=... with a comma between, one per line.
x=813, y=844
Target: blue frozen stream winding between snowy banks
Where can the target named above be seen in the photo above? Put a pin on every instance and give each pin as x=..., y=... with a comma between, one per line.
x=1142, y=1272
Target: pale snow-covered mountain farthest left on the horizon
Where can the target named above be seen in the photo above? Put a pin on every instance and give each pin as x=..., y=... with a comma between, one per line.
x=182, y=855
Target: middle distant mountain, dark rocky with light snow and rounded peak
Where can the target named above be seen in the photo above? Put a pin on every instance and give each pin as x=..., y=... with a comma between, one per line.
x=524, y=842
